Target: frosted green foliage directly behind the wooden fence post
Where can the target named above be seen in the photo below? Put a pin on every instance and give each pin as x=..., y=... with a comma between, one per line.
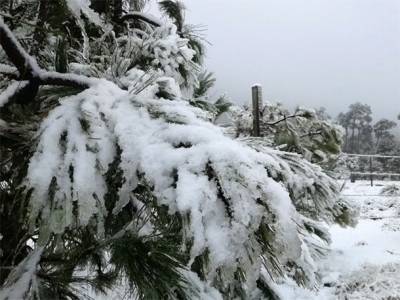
x=302, y=131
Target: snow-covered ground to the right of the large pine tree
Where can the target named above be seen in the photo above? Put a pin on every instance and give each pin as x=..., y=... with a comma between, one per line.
x=365, y=261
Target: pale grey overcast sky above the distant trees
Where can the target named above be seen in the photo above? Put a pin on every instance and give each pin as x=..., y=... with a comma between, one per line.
x=305, y=52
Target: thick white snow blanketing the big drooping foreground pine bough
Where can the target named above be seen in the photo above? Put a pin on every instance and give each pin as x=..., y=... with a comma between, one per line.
x=223, y=186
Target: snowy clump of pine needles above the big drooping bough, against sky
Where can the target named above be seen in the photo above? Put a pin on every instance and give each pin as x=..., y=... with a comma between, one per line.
x=164, y=51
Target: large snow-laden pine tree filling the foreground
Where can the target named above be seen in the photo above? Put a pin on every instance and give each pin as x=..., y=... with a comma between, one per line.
x=109, y=177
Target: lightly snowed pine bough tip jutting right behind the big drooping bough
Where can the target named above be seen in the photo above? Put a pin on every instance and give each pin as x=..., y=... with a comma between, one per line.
x=314, y=193
